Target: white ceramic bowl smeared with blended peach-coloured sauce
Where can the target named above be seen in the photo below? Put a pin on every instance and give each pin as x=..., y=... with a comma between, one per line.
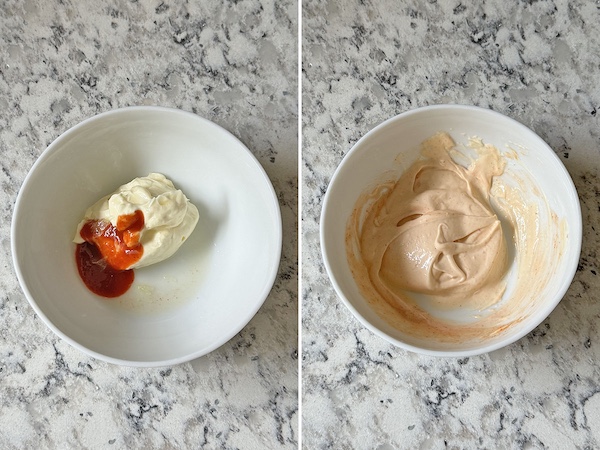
x=399, y=139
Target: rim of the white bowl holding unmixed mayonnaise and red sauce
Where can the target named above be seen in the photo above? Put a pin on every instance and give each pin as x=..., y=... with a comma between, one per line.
x=52, y=147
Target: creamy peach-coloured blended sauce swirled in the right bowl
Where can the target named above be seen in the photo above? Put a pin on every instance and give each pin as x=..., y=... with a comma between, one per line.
x=432, y=238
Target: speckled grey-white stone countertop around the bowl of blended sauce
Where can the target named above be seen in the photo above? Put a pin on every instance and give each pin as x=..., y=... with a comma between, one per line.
x=537, y=62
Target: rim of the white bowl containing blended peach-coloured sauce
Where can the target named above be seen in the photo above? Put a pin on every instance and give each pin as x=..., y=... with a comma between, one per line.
x=575, y=235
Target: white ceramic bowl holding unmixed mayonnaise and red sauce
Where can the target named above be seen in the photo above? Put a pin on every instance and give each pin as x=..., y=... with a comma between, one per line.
x=181, y=308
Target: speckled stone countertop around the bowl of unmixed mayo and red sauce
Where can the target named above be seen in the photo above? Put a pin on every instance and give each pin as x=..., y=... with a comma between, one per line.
x=234, y=63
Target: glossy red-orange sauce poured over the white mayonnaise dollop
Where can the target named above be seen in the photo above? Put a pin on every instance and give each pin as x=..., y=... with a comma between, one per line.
x=104, y=259
